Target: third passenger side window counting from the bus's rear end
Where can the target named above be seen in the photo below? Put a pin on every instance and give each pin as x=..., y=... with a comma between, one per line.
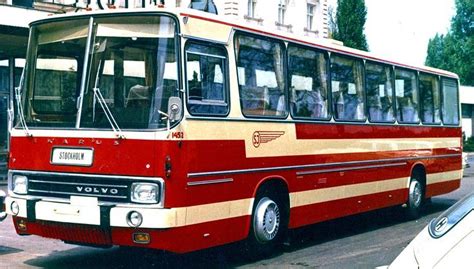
x=406, y=92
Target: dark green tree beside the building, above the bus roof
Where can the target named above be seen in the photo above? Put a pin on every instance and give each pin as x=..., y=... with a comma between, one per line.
x=349, y=23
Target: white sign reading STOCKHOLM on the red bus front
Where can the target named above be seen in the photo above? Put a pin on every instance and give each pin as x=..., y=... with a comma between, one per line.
x=72, y=156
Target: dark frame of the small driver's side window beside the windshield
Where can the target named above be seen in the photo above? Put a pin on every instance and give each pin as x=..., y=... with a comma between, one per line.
x=225, y=73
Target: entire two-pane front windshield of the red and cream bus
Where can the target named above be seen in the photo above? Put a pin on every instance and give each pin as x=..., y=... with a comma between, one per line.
x=131, y=72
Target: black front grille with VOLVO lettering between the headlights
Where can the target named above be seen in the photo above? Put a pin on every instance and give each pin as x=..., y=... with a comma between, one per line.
x=63, y=186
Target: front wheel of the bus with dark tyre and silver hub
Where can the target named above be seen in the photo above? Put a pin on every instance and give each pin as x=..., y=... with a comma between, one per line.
x=268, y=225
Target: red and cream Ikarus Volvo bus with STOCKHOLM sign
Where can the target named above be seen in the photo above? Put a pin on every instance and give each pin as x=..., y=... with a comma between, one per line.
x=178, y=130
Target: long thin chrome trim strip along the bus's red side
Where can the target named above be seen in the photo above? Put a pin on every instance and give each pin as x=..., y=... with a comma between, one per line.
x=320, y=165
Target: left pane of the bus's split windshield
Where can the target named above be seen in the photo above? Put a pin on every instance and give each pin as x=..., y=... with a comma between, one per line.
x=54, y=74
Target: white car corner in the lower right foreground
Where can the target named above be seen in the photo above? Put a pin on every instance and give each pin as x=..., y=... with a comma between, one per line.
x=447, y=242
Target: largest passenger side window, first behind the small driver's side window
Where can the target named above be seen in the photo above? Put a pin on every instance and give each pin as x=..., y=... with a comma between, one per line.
x=260, y=67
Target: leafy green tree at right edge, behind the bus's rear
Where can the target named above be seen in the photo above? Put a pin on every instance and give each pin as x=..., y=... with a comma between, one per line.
x=455, y=51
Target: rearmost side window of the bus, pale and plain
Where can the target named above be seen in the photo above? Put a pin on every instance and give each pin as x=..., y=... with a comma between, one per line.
x=450, y=107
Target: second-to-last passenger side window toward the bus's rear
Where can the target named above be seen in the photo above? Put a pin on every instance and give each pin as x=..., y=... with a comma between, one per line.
x=430, y=101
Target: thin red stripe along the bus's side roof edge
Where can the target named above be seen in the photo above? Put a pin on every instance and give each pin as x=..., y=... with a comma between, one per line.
x=439, y=72
